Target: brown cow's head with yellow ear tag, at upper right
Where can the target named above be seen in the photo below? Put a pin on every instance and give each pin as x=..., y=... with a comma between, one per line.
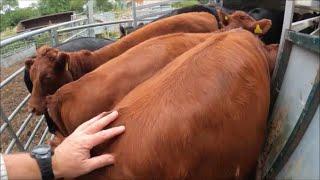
x=244, y=20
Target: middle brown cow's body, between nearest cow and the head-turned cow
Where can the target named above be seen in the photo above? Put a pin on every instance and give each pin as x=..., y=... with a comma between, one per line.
x=97, y=91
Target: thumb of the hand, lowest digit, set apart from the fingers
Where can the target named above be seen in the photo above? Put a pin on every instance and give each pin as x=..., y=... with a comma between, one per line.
x=99, y=161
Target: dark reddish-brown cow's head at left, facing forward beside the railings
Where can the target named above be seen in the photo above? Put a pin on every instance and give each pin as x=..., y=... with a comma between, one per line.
x=48, y=71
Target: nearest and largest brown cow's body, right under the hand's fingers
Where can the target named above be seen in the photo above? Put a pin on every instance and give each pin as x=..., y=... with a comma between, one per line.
x=202, y=117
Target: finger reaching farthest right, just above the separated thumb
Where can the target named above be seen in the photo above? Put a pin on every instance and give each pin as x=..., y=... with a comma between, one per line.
x=104, y=135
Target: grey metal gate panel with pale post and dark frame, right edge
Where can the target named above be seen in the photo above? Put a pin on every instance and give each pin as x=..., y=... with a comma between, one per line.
x=292, y=146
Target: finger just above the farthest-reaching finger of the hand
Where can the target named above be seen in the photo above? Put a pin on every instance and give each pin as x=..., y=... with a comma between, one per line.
x=102, y=122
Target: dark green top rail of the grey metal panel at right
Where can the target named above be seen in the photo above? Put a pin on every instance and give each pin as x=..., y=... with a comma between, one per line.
x=306, y=41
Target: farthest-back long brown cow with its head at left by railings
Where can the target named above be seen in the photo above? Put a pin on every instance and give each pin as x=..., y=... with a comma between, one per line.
x=51, y=69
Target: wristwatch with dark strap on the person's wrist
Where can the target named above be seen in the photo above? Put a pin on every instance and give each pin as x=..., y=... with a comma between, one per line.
x=42, y=154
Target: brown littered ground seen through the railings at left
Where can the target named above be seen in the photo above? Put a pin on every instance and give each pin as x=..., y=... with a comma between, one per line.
x=11, y=96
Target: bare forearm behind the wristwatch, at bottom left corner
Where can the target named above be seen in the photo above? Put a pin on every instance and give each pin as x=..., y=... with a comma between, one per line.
x=21, y=166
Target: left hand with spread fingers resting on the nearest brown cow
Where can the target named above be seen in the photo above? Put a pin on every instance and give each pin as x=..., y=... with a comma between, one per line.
x=72, y=157
